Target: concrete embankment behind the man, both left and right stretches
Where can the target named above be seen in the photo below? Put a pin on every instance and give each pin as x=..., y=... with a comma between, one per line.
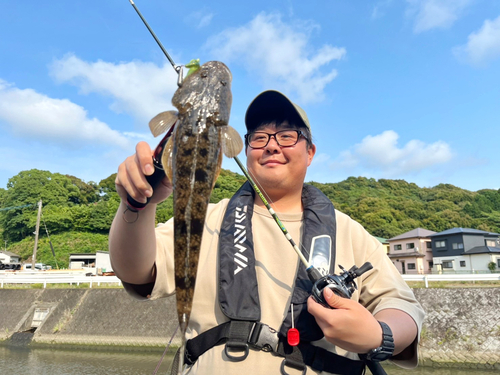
x=462, y=325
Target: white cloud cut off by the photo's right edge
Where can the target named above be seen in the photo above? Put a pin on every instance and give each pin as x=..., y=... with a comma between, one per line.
x=483, y=45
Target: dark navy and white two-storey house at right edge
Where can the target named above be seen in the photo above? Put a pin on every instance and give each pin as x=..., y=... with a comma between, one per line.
x=465, y=250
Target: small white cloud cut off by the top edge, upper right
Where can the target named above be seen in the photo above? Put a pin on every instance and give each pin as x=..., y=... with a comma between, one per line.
x=431, y=14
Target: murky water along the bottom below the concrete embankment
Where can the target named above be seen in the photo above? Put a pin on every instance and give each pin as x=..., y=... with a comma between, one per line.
x=26, y=361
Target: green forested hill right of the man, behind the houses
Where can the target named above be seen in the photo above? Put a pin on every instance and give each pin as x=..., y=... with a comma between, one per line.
x=387, y=208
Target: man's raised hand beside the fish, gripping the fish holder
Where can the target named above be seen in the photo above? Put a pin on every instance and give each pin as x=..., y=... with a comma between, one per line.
x=131, y=177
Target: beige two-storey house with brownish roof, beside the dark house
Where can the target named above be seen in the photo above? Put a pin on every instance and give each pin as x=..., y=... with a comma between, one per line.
x=411, y=252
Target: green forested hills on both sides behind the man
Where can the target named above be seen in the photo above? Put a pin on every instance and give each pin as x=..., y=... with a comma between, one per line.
x=77, y=215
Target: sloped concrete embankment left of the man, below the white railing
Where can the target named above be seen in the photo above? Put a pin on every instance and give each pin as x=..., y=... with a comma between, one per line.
x=87, y=317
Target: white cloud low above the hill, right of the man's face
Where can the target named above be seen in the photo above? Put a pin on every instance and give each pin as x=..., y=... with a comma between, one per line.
x=381, y=153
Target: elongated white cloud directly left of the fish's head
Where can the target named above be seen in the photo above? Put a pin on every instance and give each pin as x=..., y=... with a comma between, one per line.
x=137, y=88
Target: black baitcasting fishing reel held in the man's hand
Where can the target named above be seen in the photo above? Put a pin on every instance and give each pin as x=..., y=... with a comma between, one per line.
x=342, y=285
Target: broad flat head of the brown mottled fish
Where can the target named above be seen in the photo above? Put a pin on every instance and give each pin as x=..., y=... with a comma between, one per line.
x=207, y=89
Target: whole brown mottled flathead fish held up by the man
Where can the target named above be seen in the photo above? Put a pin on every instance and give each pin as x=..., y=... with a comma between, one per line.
x=192, y=160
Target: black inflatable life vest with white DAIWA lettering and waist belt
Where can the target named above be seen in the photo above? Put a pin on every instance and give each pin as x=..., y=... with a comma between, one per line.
x=239, y=298
